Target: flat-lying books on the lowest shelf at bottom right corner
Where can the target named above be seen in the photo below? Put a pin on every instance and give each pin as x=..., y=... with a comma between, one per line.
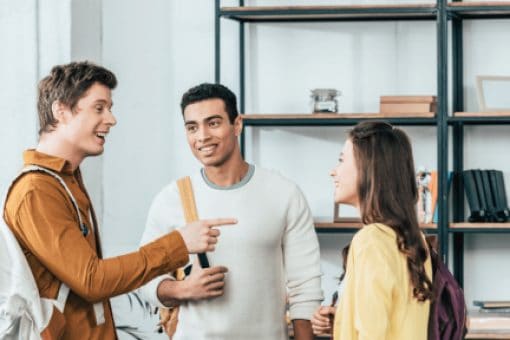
x=491, y=317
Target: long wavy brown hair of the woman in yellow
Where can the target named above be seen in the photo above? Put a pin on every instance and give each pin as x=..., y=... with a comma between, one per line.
x=388, y=194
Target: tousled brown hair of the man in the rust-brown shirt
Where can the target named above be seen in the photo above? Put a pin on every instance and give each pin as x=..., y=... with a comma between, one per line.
x=67, y=84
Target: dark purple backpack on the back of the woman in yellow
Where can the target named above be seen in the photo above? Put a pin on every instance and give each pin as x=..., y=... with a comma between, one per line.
x=447, y=318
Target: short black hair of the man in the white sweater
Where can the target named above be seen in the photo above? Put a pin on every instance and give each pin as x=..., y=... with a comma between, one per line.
x=210, y=91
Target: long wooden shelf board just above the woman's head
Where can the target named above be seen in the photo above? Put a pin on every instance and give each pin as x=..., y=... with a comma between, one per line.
x=339, y=116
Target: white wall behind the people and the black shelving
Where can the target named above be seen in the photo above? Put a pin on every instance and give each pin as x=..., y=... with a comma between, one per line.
x=160, y=50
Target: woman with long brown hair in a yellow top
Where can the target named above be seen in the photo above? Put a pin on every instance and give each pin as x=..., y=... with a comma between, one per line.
x=387, y=285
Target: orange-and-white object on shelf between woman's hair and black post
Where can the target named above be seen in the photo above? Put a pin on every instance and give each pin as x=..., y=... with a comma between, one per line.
x=426, y=182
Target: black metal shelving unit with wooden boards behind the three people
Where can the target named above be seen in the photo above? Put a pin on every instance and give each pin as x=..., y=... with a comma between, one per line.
x=442, y=13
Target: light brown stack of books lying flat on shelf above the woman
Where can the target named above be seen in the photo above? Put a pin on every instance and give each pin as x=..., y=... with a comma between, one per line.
x=408, y=105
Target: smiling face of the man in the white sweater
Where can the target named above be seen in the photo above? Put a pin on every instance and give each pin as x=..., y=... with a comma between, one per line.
x=211, y=136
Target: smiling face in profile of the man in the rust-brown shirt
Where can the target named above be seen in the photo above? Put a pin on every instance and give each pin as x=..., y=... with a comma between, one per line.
x=84, y=129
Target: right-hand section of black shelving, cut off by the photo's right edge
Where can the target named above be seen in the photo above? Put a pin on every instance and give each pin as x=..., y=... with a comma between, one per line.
x=458, y=12
